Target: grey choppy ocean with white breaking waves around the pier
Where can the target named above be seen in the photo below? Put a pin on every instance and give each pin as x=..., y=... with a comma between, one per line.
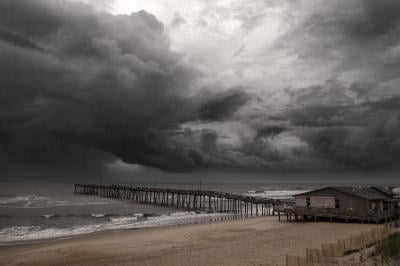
x=42, y=212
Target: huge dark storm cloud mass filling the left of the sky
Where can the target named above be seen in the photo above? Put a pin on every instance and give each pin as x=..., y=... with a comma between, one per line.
x=78, y=86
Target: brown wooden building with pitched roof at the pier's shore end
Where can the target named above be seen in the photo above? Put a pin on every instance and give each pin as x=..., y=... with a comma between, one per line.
x=363, y=204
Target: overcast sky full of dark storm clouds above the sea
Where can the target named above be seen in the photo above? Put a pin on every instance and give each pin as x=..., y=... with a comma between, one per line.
x=195, y=85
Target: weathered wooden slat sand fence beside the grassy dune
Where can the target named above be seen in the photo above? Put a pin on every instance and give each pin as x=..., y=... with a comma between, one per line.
x=328, y=254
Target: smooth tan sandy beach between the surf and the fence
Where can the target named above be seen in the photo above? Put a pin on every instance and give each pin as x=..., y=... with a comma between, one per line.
x=257, y=241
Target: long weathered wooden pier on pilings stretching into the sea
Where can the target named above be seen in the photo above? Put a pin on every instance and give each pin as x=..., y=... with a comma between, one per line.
x=197, y=200
